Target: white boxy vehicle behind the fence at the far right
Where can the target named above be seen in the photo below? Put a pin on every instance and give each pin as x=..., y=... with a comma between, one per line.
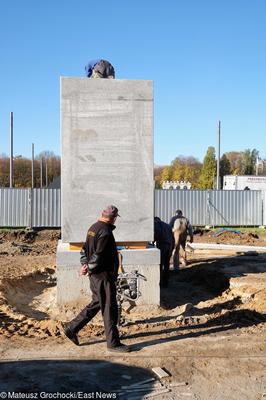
x=244, y=182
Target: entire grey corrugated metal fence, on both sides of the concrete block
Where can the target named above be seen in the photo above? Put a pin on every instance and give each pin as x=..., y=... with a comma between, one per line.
x=42, y=207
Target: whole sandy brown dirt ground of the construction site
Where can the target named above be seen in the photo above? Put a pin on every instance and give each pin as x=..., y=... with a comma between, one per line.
x=214, y=350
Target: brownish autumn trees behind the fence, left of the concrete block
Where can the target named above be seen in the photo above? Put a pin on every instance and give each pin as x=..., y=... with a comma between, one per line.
x=46, y=165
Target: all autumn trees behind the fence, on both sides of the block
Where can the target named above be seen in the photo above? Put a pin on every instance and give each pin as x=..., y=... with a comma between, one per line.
x=200, y=175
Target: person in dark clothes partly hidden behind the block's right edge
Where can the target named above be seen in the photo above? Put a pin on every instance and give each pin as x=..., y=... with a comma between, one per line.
x=164, y=239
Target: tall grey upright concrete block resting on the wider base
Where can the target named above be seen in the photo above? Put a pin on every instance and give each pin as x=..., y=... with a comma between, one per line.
x=107, y=156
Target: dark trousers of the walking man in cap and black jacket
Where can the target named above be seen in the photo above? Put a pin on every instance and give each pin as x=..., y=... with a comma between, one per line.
x=103, y=298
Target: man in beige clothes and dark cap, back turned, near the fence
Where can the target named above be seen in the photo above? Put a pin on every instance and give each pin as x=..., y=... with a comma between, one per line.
x=181, y=228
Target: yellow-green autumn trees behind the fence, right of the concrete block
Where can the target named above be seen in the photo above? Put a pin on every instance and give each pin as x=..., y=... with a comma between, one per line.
x=203, y=175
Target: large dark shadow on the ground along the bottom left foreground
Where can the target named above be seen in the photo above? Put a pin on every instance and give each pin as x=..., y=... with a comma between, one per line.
x=70, y=376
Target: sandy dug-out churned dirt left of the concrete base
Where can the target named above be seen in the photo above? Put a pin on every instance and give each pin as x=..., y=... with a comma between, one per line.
x=24, y=302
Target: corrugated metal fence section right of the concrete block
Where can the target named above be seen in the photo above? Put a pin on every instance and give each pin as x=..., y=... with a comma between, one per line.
x=213, y=207
